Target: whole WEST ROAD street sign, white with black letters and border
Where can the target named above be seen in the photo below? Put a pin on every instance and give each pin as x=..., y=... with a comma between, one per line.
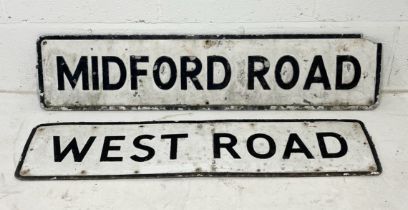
x=198, y=148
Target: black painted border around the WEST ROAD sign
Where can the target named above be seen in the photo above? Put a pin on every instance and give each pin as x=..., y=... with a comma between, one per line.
x=199, y=174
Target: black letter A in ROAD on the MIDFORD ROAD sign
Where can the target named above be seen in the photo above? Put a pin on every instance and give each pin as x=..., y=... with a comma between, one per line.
x=324, y=79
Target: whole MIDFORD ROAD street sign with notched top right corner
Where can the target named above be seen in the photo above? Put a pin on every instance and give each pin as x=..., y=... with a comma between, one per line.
x=208, y=72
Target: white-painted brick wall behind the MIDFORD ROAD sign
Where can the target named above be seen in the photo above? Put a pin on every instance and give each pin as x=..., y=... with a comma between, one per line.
x=23, y=21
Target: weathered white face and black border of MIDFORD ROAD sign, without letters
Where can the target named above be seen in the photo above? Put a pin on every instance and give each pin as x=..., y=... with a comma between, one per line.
x=235, y=48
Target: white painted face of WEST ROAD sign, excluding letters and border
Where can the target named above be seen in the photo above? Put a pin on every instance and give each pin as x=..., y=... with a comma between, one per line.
x=195, y=153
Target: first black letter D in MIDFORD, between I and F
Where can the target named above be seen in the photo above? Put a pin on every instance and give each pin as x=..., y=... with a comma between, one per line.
x=105, y=72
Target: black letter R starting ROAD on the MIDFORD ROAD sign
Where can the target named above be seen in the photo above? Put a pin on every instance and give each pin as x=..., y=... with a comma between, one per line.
x=259, y=74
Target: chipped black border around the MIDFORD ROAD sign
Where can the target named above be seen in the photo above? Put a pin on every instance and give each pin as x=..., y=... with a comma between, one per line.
x=205, y=107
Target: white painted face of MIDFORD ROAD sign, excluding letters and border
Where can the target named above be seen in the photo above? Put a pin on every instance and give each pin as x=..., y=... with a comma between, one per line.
x=236, y=51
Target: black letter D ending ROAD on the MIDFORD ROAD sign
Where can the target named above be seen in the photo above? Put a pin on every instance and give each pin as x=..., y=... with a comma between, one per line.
x=339, y=72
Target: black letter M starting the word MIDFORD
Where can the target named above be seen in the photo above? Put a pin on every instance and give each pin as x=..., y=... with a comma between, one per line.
x=82, y=68
